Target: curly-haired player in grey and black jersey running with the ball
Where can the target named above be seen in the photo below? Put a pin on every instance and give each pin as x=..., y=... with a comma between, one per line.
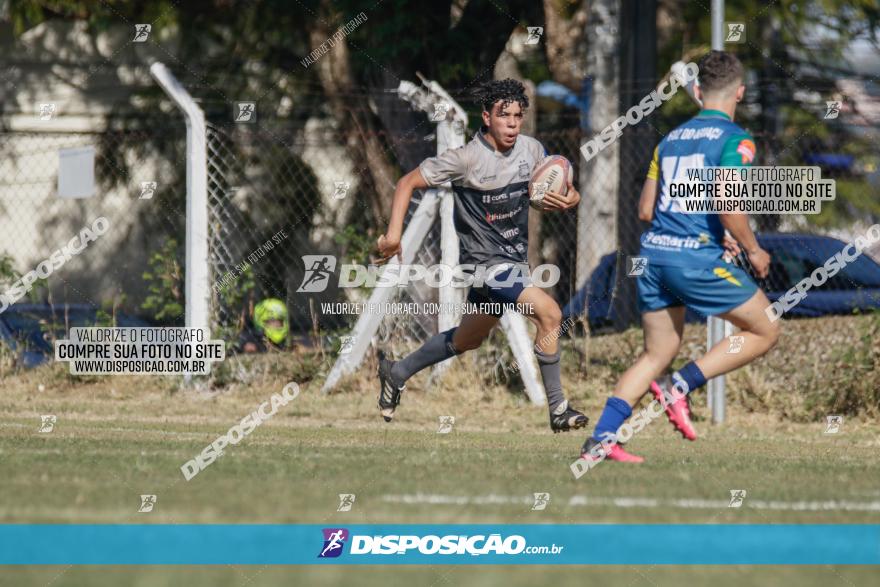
x=490, y=177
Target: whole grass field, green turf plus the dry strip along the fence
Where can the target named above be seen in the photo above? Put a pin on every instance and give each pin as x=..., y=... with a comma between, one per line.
x=117, y=438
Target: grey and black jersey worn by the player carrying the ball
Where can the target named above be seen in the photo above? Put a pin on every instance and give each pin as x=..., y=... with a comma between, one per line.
x=491, y=197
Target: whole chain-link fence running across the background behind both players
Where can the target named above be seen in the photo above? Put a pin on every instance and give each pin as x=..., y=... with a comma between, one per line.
x=282, y=189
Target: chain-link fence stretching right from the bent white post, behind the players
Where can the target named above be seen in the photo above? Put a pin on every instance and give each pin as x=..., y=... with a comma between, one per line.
x=289, y=185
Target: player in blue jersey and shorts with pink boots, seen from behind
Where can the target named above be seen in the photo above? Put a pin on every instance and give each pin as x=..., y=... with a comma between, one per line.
x=685, y=266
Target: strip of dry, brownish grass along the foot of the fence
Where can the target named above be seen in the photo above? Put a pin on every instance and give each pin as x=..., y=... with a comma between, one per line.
x=820, y=366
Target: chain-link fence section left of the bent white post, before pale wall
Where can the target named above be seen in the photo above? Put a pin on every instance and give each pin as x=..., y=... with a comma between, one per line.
x=139, y=188
